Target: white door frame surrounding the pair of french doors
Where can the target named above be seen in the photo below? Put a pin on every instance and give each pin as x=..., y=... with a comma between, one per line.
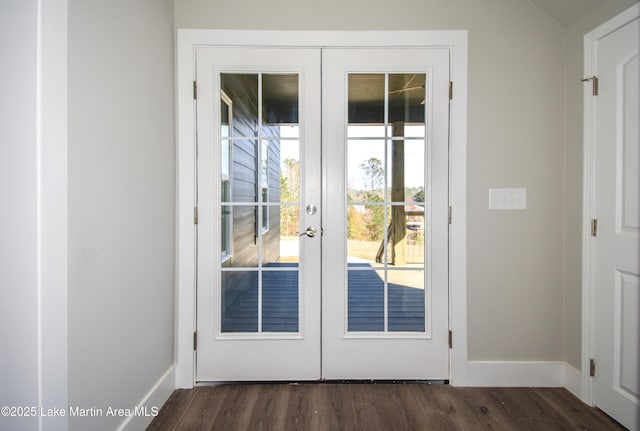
x=188, y=40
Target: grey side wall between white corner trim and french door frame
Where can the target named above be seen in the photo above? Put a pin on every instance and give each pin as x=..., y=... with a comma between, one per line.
x=121, y=203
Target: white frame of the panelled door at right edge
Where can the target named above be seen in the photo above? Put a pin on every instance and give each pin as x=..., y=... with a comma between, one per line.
x=591, y=40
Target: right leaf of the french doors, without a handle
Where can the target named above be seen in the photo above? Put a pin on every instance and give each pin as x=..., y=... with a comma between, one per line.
x=385, y=279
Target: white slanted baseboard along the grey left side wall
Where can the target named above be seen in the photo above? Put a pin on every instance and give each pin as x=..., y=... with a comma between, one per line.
x=151, y=403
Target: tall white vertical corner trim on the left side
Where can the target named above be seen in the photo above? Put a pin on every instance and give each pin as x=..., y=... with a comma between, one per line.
x=52, y=211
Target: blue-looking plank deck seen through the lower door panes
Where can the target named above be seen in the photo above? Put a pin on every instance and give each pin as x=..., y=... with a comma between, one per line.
x=280, y=302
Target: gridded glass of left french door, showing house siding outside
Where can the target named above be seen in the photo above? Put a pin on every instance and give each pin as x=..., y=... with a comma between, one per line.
x=260, y=189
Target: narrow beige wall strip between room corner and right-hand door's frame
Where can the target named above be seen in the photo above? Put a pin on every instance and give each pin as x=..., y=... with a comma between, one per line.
x=573, y=183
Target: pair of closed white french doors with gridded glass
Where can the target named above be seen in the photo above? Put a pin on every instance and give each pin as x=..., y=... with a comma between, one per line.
x=322, y=214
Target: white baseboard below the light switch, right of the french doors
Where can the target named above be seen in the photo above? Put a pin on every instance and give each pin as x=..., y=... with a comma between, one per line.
x=521, y=374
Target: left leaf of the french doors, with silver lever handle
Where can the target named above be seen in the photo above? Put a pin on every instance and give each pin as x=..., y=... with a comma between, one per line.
x=258, y=165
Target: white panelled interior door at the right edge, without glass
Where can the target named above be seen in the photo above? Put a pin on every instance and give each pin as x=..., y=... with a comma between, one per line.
x=616, y=385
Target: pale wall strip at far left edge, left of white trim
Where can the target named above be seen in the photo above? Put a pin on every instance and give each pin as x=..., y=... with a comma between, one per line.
x=18, y=217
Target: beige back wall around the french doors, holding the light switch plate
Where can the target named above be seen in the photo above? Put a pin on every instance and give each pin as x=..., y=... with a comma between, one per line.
x=515, y=139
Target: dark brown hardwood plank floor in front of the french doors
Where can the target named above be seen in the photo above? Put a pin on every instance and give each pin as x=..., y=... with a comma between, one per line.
x=379, y=406
